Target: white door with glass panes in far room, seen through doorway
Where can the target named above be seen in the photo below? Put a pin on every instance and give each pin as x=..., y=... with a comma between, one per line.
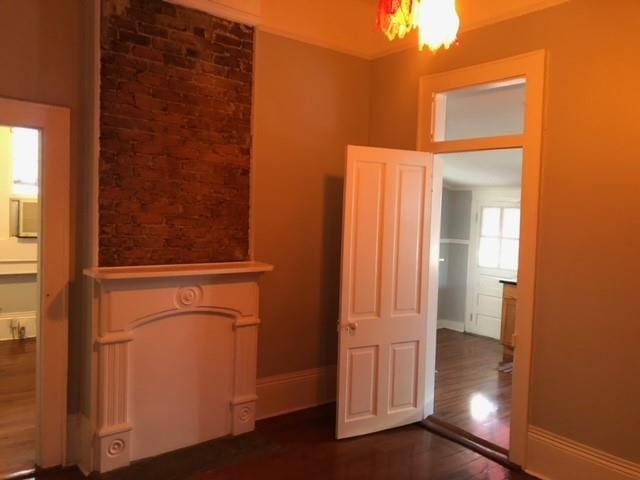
x=493, y=257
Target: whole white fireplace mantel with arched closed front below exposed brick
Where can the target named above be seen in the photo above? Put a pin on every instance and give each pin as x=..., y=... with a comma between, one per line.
x=175, y=354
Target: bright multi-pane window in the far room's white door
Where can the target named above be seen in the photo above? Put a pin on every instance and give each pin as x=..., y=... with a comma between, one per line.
x=499, y=238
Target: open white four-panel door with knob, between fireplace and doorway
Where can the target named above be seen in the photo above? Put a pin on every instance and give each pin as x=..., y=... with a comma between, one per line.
x=381, y=363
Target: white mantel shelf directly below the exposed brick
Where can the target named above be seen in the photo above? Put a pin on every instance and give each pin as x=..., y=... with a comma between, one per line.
x=173, y=271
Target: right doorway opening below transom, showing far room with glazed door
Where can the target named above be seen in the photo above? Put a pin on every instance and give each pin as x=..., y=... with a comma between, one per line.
x=478, y=265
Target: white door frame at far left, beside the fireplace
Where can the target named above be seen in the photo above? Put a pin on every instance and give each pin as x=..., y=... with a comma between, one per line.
x=54, y=272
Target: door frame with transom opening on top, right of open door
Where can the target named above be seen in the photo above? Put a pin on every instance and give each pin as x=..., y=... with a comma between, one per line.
x=530, y=66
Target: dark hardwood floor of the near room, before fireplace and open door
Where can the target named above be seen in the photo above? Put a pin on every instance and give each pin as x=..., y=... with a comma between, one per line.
x=302, y=446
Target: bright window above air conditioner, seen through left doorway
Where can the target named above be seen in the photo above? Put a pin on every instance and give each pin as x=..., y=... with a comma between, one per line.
x=25, y=154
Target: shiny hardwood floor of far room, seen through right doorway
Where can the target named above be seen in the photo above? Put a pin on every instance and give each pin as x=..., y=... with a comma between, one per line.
x=470, y=392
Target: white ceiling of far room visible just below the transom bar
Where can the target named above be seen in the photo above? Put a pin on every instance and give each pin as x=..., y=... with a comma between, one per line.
x=492, y=168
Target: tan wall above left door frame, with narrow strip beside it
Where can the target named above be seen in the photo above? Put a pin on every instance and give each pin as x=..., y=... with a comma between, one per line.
x=40, y=61
